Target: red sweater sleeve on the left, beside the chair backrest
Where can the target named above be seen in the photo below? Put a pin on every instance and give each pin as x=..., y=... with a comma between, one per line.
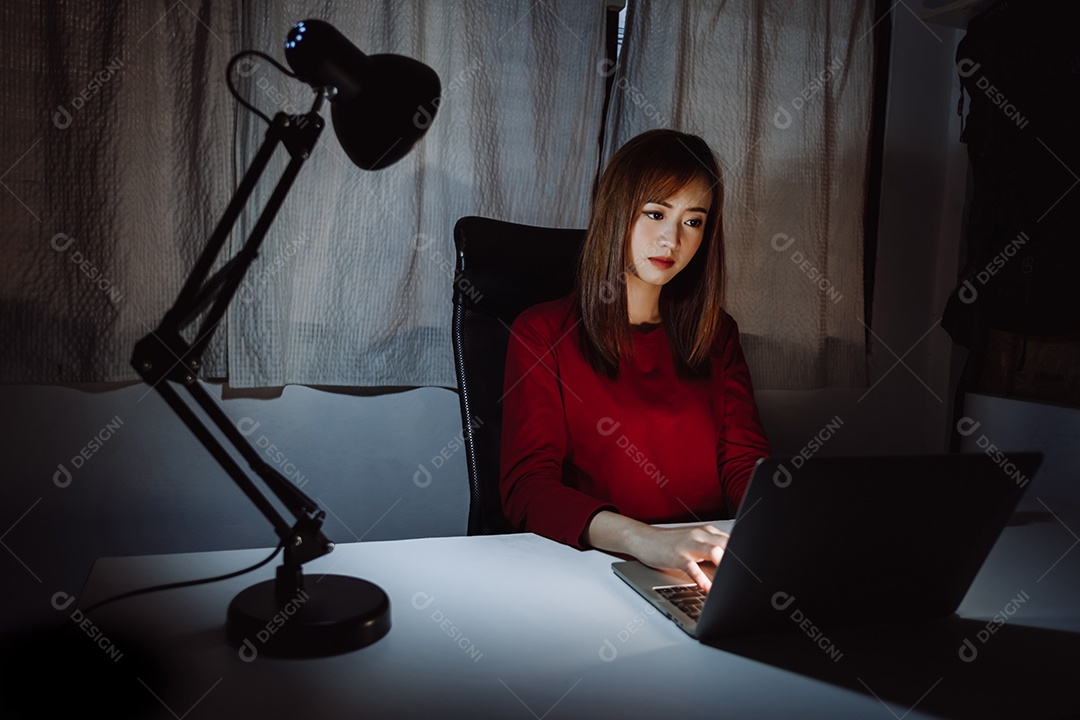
x=535, y=438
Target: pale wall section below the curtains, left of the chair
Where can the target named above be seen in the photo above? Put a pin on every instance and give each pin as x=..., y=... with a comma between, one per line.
x=109, y=472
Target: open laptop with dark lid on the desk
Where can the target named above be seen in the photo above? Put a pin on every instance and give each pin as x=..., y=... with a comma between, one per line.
x=838, y=542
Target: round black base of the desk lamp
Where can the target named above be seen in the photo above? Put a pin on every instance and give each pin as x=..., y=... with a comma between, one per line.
x=331, y=616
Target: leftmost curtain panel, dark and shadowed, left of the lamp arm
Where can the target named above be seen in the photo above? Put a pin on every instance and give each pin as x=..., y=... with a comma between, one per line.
x=117, y=152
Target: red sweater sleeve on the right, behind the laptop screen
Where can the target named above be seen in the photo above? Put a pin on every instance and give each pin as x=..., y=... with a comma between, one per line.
x=741, y=440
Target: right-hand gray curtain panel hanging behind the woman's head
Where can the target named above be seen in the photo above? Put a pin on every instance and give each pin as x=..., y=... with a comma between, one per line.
x=782, y=91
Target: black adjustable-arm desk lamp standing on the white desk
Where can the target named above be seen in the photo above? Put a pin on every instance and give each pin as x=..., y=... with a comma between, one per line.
x=375, y=102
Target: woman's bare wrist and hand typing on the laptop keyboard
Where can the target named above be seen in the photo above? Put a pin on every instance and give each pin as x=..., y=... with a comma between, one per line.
x=666, y=549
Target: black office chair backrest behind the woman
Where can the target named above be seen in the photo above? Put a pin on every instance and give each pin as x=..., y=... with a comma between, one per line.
x=503, y=269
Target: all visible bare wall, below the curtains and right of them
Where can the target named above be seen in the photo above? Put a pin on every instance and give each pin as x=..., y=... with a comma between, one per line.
x=151, y=488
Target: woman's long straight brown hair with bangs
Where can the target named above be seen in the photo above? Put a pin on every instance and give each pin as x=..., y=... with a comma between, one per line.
x=651, y=167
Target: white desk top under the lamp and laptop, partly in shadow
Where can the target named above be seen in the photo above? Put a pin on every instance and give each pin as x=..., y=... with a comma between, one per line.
x=518, y=627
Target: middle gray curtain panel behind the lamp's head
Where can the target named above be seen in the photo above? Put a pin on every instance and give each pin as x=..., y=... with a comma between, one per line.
x=357, y=291
